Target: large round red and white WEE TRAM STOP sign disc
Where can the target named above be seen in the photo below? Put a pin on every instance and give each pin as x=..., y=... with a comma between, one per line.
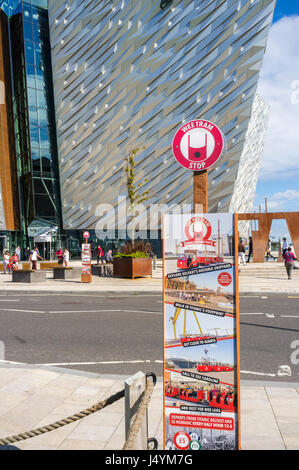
x=198, y=144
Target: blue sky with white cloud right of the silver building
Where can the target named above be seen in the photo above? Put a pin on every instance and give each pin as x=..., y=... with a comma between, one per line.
x=279, y=86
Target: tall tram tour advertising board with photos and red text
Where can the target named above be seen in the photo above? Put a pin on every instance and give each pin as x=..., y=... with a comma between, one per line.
x=201, y=365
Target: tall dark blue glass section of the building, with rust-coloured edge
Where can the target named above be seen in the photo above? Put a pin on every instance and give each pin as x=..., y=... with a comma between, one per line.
x=29, y=174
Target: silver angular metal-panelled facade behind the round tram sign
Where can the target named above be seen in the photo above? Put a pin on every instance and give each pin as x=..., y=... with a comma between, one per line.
x=127, y=73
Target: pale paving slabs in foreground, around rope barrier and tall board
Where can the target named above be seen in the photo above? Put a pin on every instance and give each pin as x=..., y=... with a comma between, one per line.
x=32, y=397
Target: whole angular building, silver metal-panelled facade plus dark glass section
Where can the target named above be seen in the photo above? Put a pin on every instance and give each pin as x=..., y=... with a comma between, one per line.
x=126, y=74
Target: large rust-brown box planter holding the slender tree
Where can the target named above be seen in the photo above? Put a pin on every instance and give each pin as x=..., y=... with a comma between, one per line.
x=132, y=267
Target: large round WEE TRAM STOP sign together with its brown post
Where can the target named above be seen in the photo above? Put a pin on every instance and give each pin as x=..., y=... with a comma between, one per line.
x=197, y=146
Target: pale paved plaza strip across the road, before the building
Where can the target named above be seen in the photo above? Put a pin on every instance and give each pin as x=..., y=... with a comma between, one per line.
x=269, y=277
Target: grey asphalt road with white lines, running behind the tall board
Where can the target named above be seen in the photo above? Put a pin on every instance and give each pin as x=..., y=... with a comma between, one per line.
x=121, y=335
